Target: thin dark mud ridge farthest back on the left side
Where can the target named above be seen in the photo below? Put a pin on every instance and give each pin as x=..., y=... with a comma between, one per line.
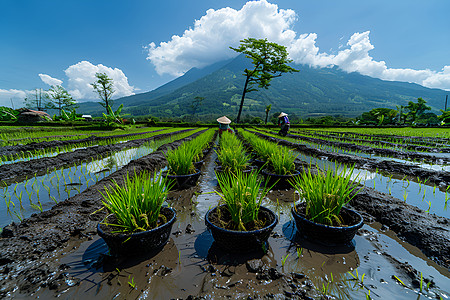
x=12, y=150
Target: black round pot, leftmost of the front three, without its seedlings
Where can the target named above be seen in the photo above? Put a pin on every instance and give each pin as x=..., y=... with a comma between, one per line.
x=140, y=242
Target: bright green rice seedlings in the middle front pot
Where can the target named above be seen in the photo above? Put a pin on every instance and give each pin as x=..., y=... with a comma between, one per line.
x=240, y=193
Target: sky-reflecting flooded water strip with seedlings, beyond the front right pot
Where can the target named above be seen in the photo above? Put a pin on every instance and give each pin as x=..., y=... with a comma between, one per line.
x=428, y=198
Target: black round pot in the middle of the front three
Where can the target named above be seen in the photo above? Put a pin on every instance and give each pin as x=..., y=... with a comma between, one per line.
x=242, y=241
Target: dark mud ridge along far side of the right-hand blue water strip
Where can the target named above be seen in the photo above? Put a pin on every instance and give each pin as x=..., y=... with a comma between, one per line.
x=439, y=178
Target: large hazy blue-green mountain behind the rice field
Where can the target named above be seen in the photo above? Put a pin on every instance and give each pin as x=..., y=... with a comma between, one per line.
x=309, y=92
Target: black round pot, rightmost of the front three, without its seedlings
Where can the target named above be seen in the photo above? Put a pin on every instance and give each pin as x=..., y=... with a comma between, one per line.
x=328, y=235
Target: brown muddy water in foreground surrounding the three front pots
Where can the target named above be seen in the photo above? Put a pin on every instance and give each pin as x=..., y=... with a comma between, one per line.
x=190, y=264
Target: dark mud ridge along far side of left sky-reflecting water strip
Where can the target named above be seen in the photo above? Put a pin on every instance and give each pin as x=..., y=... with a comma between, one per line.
x=19, y=171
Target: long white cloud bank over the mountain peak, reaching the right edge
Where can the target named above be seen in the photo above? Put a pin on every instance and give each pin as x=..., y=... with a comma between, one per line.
x=209, y=40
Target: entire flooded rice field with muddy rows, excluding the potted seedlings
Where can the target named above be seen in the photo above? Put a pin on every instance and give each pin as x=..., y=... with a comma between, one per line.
x=52, y=179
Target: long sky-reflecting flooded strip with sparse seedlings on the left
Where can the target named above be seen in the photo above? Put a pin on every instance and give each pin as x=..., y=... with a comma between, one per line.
x=20, y=200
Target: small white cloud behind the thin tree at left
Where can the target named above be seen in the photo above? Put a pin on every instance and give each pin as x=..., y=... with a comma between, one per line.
x=82, y=74
